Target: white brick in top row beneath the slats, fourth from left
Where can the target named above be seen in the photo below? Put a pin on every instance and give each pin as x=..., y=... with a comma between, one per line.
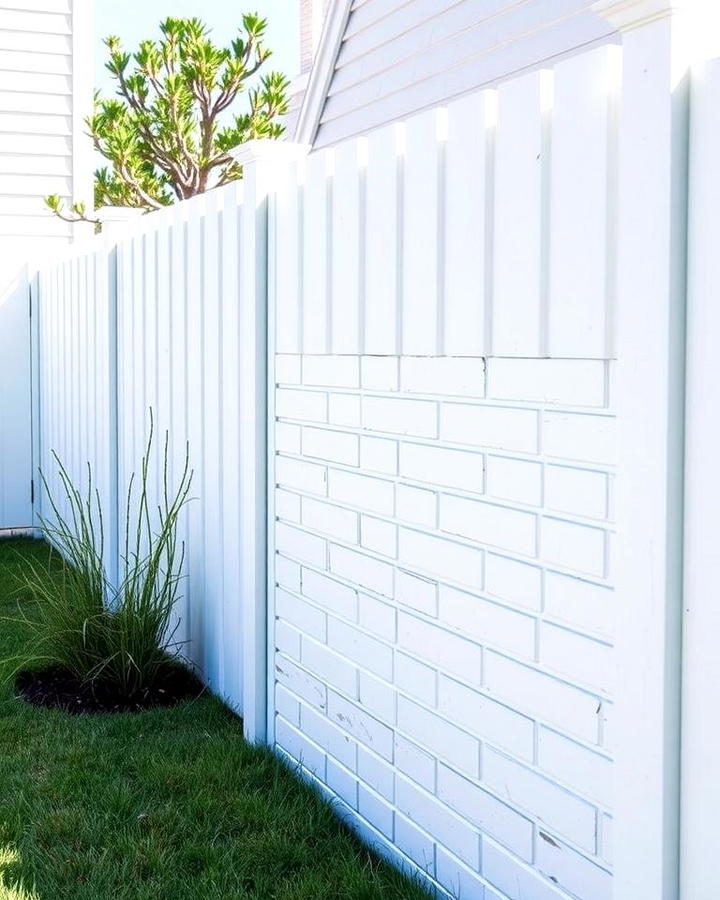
x=450, y=375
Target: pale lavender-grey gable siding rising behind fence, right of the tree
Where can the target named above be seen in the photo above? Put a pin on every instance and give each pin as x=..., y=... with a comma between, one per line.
x=399, y=57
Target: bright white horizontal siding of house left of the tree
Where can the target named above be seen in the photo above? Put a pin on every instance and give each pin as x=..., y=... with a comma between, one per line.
x=45, y=89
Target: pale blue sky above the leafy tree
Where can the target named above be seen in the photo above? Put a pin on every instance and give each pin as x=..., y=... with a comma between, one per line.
x=135, y=20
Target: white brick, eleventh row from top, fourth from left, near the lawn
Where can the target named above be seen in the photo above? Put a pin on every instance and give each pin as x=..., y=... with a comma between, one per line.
x=427, y=812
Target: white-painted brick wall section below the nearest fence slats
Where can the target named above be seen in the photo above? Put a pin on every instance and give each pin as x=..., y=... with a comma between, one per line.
x=443, y=610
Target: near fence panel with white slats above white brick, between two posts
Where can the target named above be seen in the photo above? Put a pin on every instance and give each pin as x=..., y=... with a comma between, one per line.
x=443, y=483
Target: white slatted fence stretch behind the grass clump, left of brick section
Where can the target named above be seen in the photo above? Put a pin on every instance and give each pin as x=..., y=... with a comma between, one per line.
x=152, y=326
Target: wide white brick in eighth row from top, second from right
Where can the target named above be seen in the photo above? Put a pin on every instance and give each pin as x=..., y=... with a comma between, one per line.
x=486, y=718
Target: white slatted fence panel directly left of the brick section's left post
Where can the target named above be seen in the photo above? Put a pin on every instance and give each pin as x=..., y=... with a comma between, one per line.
x=179, y=345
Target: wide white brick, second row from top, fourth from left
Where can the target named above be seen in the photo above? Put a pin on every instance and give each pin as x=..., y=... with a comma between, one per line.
x=495, y=427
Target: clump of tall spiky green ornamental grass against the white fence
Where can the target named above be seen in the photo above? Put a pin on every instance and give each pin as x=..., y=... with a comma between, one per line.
x=118, y=638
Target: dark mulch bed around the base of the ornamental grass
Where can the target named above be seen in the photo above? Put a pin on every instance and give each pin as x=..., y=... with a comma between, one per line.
x=57, y=688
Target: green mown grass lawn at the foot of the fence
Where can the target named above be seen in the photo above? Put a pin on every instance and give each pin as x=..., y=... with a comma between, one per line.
x=163, y=804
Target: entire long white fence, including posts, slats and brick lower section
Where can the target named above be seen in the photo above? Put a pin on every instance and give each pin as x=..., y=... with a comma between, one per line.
x=453, y=641
